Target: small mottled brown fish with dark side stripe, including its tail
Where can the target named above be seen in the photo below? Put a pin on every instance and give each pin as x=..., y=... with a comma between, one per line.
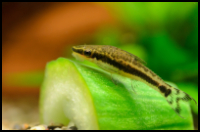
x=115, y=60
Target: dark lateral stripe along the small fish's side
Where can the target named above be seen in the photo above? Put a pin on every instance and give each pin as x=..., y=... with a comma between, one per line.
x=123, y=67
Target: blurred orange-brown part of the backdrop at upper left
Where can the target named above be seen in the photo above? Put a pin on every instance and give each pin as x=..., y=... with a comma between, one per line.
x=36, y=33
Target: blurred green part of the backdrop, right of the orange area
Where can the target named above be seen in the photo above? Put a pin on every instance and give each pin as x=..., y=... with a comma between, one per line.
x=163, y=34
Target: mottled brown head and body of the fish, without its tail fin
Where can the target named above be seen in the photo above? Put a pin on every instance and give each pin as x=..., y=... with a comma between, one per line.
x=125, y=63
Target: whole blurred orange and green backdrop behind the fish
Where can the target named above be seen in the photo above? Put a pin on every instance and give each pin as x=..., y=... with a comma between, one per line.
x=163, y=34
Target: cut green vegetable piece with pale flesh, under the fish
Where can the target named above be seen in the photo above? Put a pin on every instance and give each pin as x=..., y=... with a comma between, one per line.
x=88, y=97
